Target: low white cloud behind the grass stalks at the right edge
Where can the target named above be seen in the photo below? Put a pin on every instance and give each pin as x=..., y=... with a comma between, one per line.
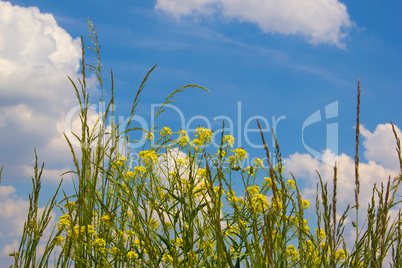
x=376, y=171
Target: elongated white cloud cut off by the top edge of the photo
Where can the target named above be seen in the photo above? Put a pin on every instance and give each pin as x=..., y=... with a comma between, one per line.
x=320, y=21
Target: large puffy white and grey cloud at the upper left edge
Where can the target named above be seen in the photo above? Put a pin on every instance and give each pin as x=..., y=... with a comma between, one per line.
x=36, y=55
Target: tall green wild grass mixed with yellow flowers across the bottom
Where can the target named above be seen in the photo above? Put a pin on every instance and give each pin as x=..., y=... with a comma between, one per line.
x=175, y=211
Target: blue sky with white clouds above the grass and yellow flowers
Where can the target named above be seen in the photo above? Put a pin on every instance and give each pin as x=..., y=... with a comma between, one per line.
x=274, y=59
